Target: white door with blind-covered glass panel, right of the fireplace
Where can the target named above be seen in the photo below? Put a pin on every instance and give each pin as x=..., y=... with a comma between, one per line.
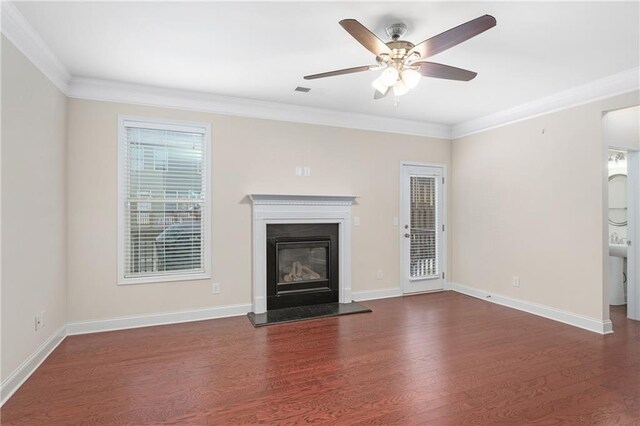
x=422, y=228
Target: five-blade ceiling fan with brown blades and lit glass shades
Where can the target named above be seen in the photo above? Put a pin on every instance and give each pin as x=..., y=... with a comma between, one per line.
x=405, y=63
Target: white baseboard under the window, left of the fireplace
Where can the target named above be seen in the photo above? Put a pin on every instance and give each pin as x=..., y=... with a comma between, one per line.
x=136, y=321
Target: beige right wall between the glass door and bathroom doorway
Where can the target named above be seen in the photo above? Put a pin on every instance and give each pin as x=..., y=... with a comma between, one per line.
x=527, y=200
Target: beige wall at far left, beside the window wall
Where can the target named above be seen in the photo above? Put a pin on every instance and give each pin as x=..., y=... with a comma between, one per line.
x=33, y=207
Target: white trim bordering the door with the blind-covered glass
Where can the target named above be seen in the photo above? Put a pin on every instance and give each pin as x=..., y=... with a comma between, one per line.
x=444, y=216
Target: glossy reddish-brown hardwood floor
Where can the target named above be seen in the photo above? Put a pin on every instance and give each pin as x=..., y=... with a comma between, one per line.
x=437, y=359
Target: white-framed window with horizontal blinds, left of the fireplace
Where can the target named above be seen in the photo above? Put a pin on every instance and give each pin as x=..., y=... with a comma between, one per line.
x=164, y=201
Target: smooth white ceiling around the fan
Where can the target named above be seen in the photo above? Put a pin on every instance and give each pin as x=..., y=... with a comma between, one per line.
x=262, y=50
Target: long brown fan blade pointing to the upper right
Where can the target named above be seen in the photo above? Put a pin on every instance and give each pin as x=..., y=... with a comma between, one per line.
x=454, y=36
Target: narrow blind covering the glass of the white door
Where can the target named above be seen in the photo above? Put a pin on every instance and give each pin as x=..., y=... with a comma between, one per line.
x=424, y=250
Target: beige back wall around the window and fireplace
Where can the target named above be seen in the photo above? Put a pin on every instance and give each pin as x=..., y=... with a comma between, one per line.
x=248, y=156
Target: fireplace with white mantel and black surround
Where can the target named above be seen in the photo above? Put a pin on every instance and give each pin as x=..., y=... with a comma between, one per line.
x=289, y=210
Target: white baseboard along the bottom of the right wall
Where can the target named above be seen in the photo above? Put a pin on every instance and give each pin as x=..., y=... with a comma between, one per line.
x=587, y=323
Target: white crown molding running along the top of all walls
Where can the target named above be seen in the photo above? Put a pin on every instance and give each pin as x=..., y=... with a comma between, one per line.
x=18, y=30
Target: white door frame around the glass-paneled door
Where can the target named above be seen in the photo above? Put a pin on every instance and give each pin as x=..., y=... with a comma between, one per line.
x=402, y=210
